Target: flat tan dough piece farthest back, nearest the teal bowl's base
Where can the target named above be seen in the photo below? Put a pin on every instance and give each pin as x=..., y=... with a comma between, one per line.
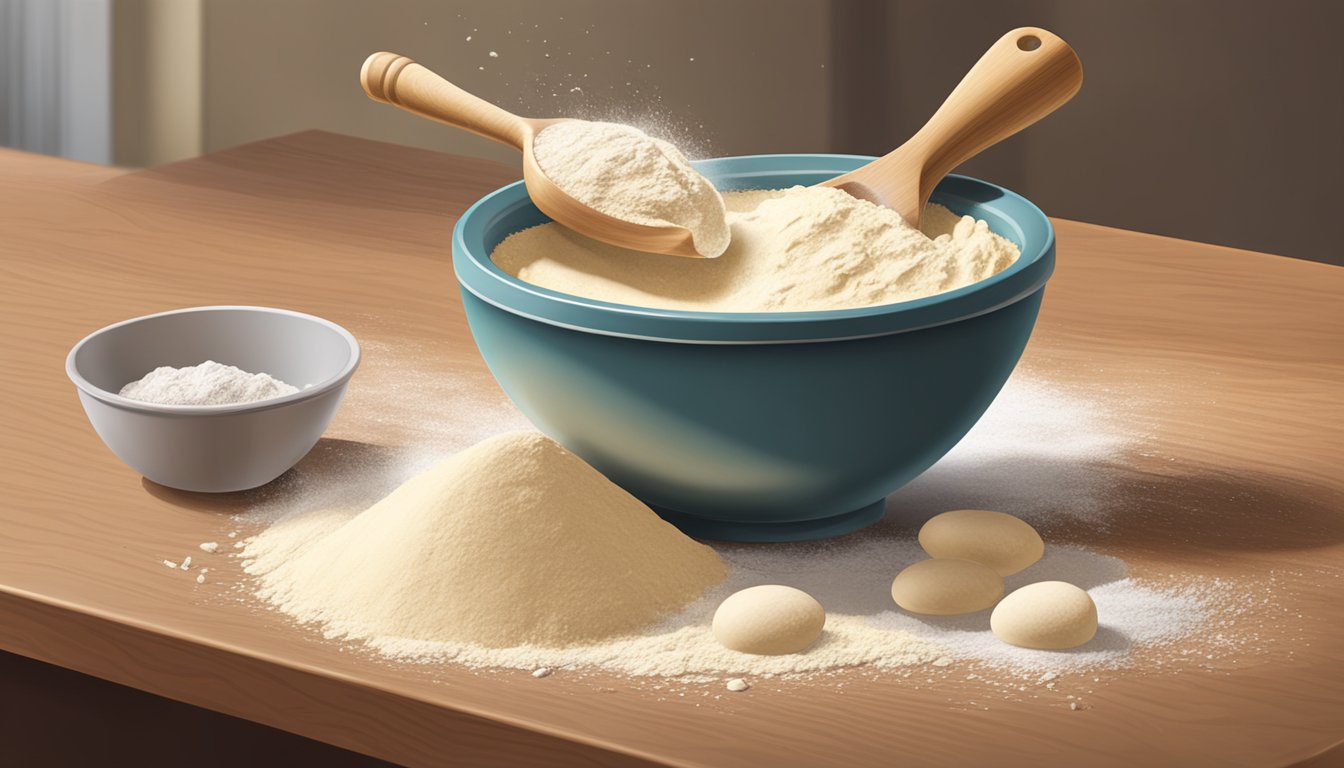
x=1003, y=543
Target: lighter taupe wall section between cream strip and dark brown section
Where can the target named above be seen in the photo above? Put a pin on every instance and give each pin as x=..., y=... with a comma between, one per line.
x=757, y=81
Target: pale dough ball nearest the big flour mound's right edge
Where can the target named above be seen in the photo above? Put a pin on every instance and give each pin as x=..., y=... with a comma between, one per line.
x=769, y=621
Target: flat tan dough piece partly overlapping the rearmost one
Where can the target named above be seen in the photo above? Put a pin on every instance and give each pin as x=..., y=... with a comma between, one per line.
x=947, y=587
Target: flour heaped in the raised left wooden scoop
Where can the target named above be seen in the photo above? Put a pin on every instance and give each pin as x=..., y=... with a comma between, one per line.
x=627, y=174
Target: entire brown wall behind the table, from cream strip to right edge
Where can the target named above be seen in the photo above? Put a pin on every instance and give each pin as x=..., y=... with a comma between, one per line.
x=1210, y=120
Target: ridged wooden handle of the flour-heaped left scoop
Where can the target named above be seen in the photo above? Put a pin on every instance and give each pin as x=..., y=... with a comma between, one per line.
x=400, y=81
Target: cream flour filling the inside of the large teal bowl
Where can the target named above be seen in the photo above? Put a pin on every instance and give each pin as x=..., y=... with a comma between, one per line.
x=794, y=251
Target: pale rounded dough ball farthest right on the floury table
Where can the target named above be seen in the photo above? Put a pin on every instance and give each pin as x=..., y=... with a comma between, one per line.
x=1048, y=615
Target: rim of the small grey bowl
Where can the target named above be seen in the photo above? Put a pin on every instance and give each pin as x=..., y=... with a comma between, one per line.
x=138, y=406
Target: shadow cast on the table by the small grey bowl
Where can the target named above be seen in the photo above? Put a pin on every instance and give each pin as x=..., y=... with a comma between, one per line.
x=338, y=473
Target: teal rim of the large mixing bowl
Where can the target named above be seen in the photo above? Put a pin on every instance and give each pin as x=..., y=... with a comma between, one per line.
x=479, y=276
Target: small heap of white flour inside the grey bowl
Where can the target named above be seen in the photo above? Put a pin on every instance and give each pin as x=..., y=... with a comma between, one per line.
x=208, y=384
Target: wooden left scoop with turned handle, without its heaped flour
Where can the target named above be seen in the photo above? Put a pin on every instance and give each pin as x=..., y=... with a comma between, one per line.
x=403, y=83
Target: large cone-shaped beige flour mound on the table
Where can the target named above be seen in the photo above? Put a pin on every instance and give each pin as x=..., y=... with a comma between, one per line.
x=511, y=543
